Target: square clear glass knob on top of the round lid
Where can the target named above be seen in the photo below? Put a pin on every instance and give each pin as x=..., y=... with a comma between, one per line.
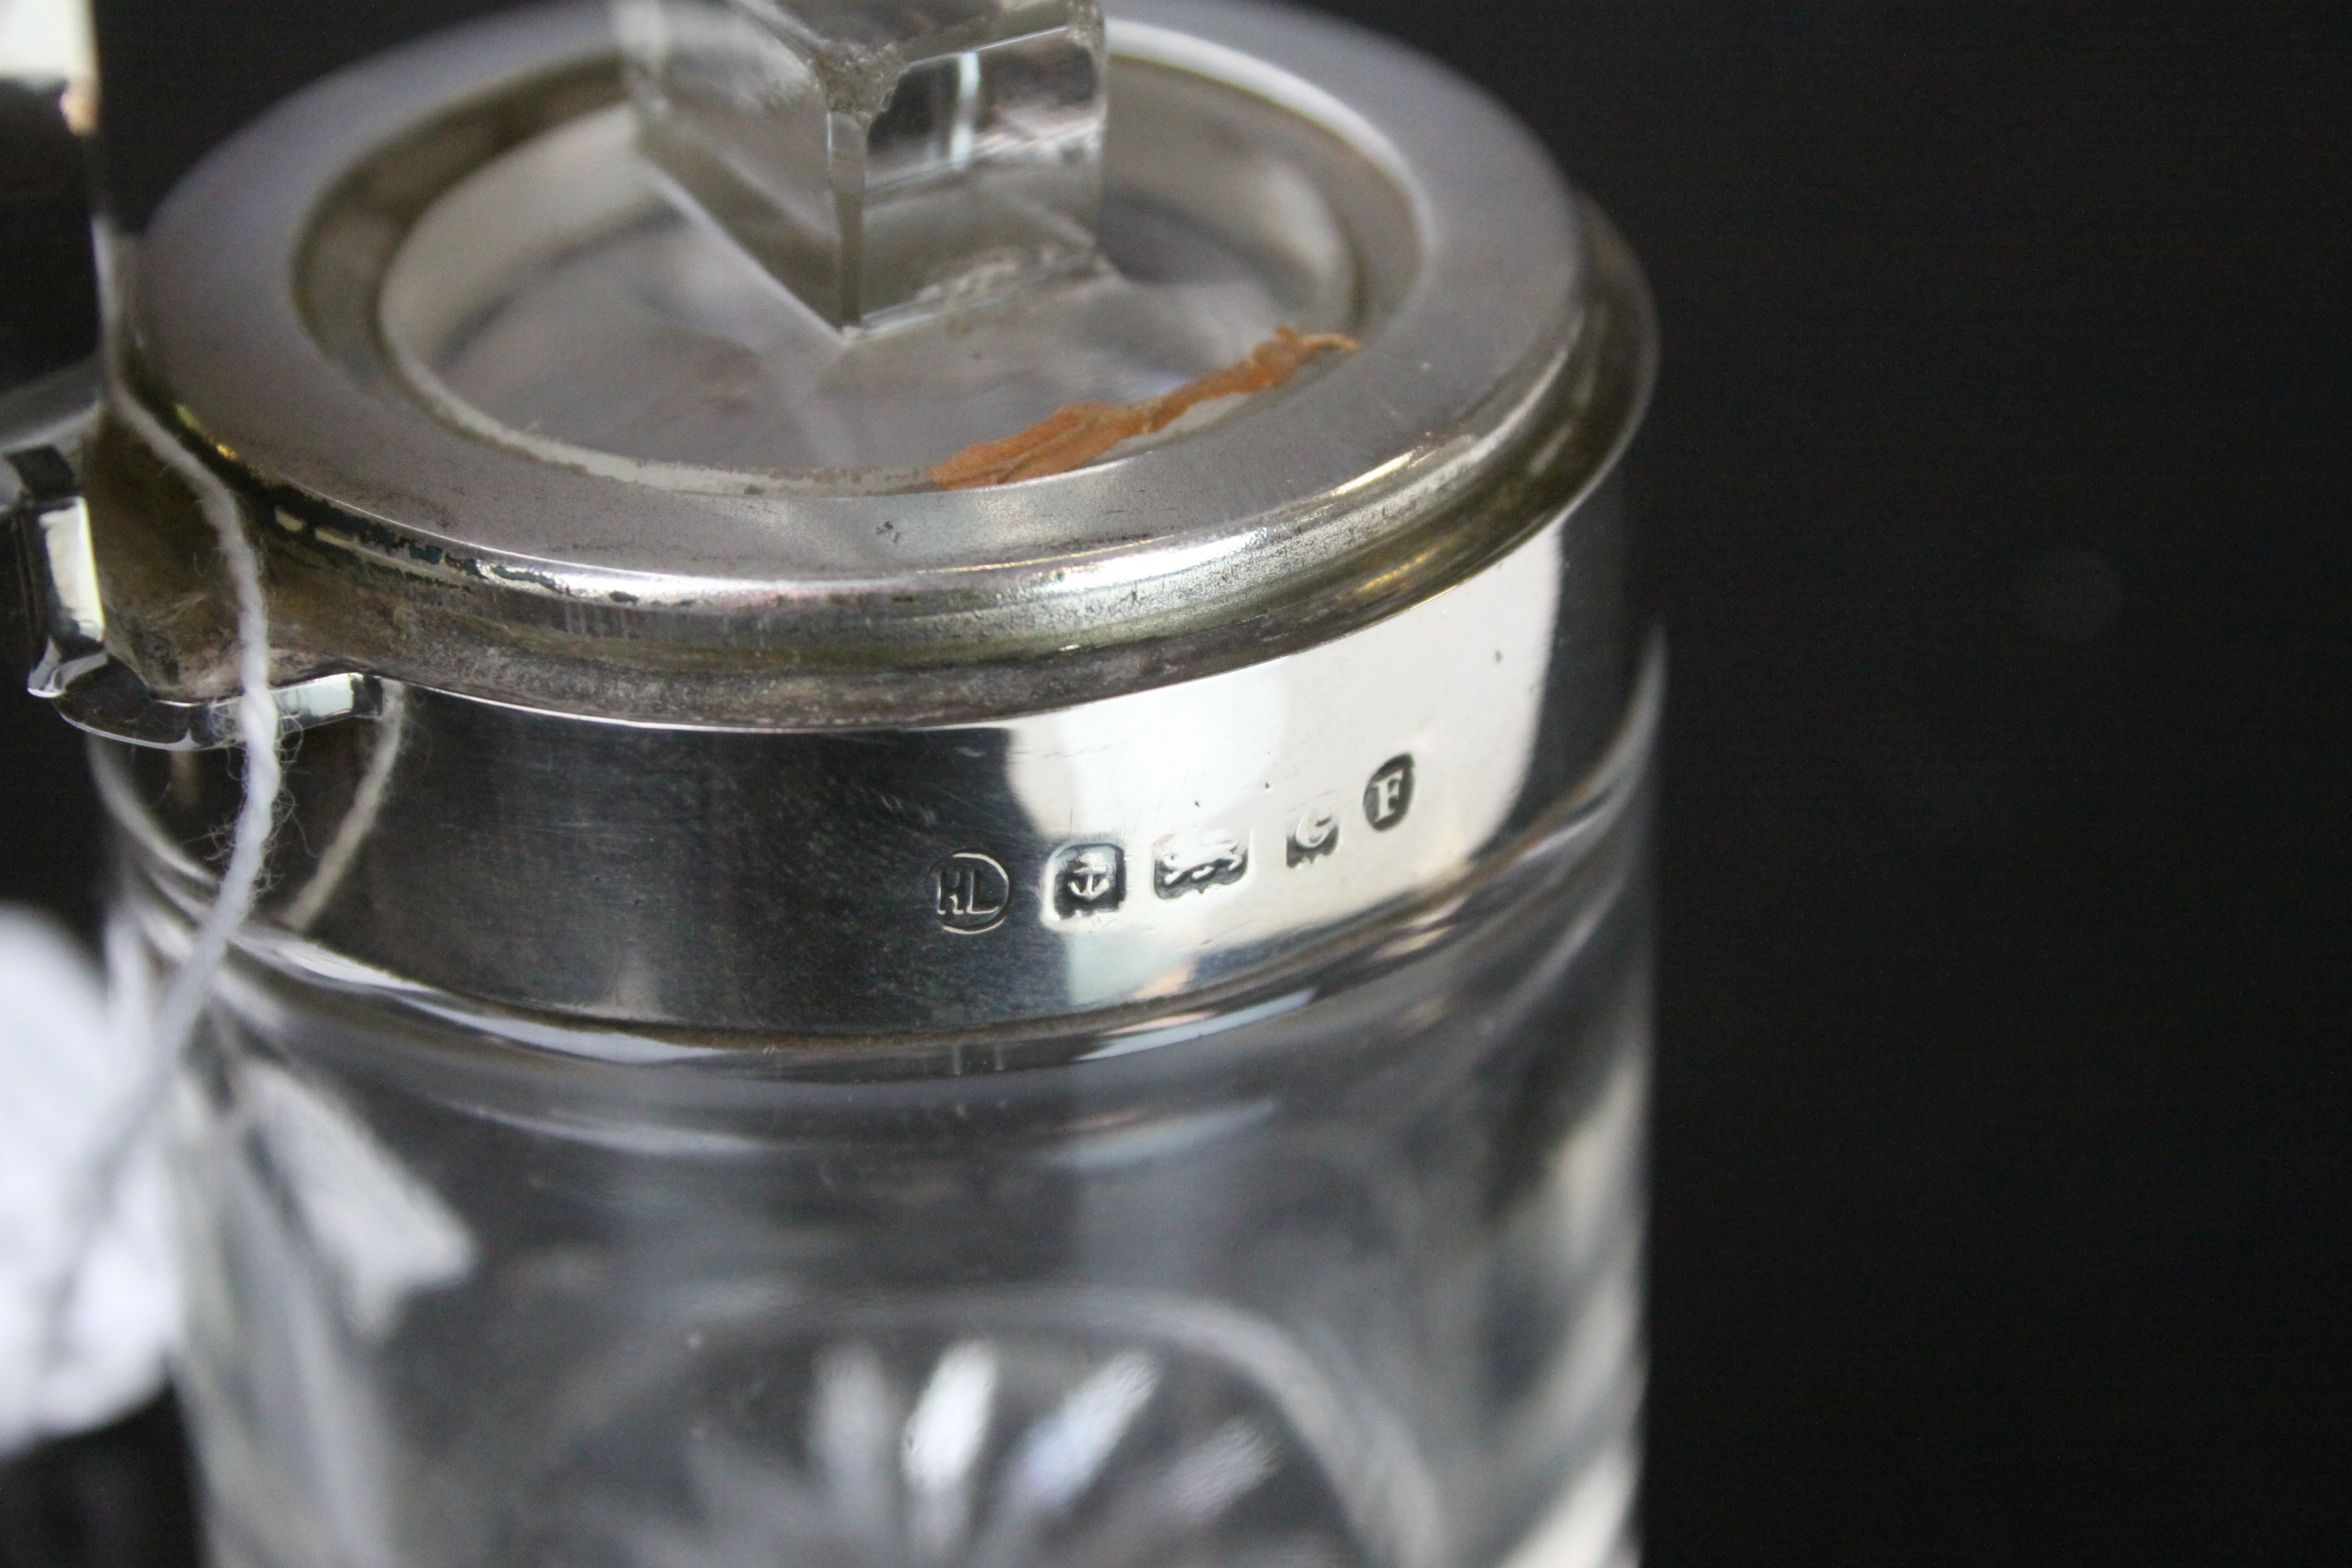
x=881, y=159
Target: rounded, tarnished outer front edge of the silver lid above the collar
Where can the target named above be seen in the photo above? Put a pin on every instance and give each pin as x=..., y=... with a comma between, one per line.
x=417, y=622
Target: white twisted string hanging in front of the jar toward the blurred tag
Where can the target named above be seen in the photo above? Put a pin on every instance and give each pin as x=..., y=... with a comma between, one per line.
x=234, y=904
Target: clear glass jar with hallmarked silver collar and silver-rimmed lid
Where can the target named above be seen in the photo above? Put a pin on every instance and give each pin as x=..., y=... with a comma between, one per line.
x=961, y=873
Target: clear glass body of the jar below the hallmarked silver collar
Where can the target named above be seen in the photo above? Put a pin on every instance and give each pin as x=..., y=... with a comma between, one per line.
x=1337, y=1271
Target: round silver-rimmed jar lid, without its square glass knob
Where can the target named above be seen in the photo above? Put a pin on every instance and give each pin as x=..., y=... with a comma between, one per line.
x=537, y=431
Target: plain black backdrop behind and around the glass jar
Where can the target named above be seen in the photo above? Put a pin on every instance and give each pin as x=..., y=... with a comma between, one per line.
x=2003, y=535
